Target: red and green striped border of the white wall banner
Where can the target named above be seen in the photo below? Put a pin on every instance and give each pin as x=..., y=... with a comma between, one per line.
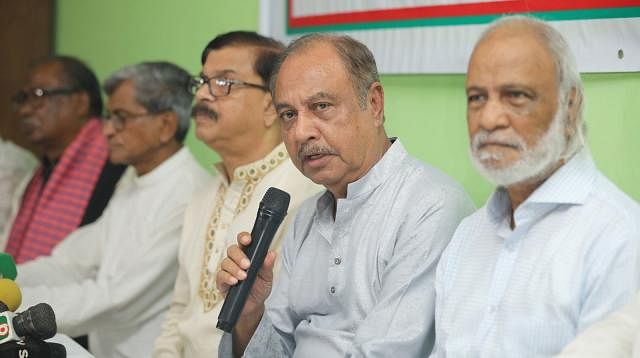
x=453, y=13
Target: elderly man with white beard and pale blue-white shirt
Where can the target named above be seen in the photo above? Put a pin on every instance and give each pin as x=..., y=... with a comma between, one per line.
x=555, y=248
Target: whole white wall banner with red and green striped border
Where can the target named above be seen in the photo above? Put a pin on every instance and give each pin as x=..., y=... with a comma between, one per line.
x=436, y=36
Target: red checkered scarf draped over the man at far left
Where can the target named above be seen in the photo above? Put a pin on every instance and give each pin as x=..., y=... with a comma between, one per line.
x=48, y=214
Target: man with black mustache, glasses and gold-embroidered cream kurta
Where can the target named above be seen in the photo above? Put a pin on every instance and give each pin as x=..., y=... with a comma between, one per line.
x=234, y=116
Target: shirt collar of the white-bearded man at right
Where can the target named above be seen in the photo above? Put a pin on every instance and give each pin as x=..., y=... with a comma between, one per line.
x=570, y=184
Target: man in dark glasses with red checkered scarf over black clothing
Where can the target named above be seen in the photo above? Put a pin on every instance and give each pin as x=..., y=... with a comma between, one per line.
x=58, y=110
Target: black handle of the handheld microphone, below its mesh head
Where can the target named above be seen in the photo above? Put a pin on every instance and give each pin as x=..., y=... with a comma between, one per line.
x=264, y=229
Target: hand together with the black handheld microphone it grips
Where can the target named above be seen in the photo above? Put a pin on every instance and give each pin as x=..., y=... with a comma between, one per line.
x=244, y=264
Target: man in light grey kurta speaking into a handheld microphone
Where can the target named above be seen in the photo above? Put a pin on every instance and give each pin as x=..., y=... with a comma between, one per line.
x=358, y=261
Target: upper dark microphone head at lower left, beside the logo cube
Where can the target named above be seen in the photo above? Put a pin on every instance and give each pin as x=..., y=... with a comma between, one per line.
x=37, y=322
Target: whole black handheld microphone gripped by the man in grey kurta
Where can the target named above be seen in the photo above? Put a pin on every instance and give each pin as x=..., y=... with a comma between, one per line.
x=272, y=210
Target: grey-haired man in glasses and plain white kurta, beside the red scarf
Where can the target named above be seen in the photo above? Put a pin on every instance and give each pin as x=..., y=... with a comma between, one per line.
x=113, y=279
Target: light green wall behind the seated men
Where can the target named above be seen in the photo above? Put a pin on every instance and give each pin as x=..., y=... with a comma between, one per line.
x=426, y=111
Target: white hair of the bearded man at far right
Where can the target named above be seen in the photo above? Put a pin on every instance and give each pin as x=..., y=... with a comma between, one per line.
x=566, y=68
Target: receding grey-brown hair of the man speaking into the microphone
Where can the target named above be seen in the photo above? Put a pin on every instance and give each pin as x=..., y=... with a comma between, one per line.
x=357, y=59
